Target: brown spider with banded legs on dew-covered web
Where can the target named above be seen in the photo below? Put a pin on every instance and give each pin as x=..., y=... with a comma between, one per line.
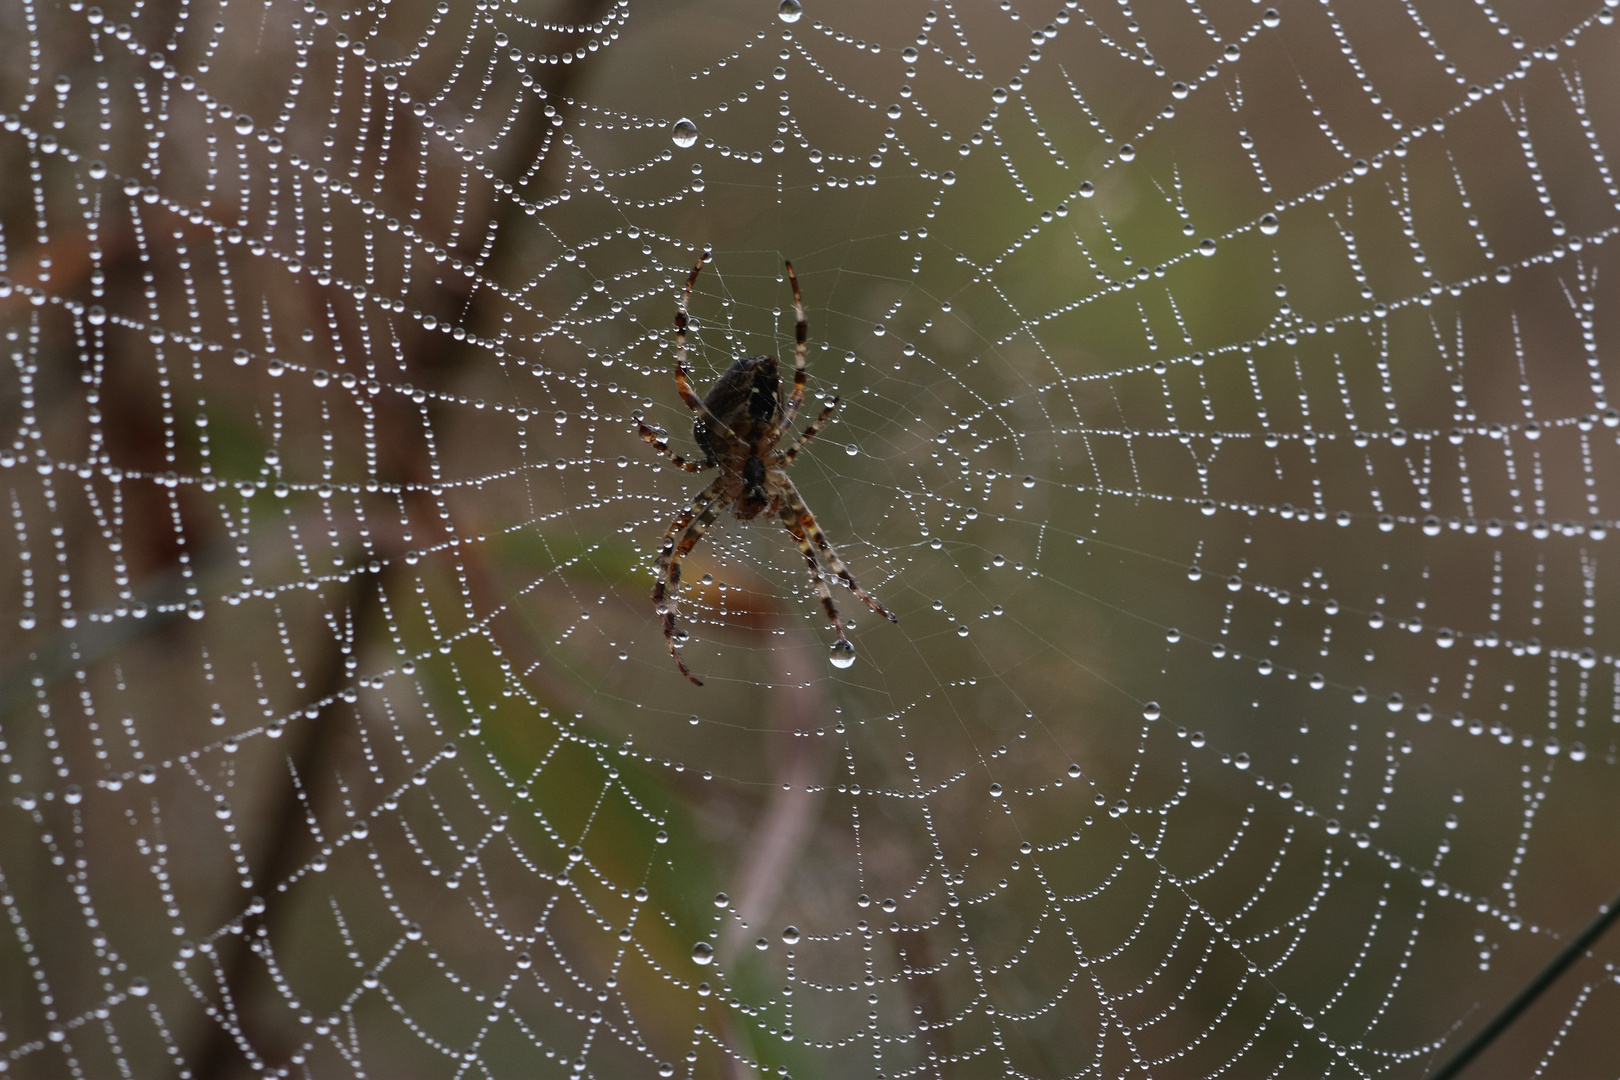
x=738, y=428
